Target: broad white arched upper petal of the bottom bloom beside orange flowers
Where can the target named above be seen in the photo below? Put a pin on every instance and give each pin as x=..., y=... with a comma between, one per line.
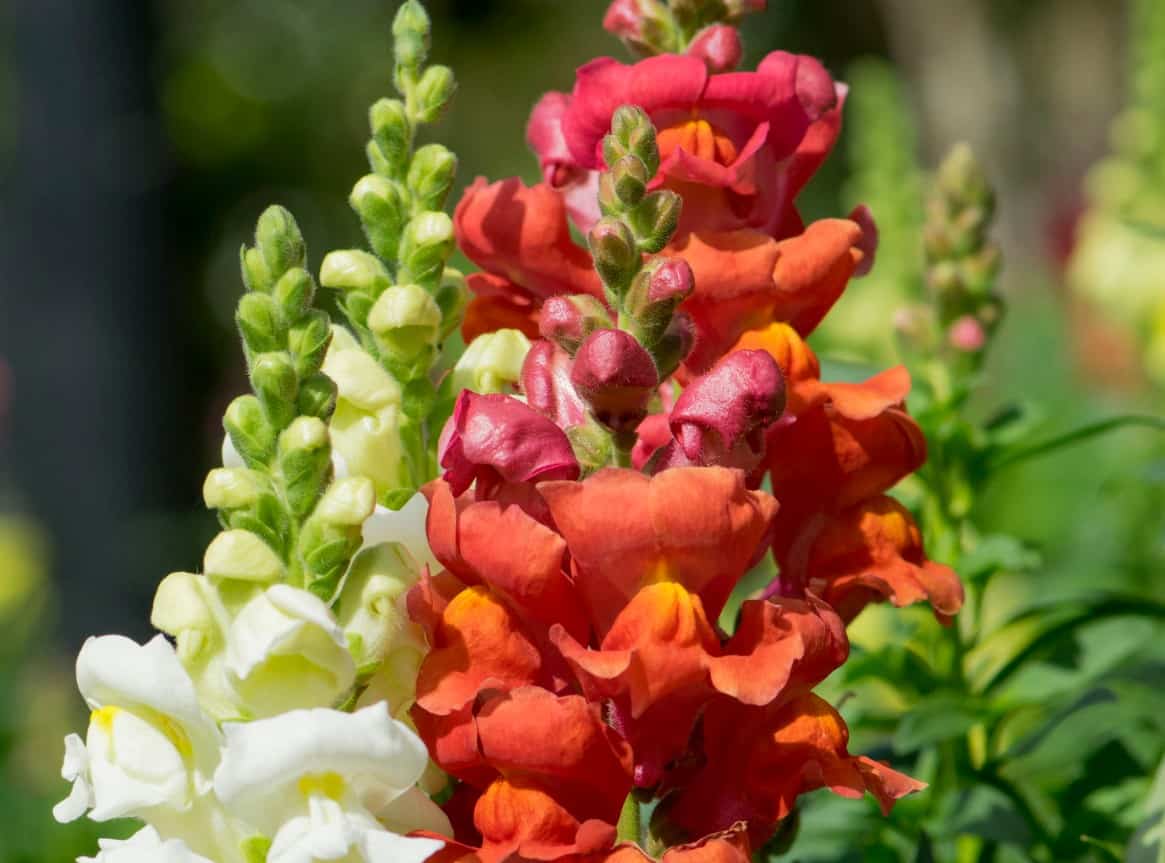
x=265, y=760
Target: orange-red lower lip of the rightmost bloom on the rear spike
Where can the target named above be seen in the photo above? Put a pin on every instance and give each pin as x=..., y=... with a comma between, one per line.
x=874, y=551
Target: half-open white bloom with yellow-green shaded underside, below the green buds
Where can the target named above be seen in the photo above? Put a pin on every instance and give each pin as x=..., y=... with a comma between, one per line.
x=285, y=650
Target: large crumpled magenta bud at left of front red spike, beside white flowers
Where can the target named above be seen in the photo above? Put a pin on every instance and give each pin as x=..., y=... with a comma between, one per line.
x=495, y=440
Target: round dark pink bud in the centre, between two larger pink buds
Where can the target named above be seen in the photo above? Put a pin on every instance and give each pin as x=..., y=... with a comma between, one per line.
x=617, y=377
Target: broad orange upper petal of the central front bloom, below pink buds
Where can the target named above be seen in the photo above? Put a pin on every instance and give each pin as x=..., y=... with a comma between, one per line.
x=701, y=528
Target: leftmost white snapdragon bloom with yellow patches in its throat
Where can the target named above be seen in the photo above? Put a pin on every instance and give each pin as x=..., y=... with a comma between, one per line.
x=150, y=746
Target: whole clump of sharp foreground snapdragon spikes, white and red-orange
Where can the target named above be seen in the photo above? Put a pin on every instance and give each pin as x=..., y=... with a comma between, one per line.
x=503, y=588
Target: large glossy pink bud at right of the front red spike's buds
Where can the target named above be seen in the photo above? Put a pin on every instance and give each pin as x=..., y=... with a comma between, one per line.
x=722, y=418
